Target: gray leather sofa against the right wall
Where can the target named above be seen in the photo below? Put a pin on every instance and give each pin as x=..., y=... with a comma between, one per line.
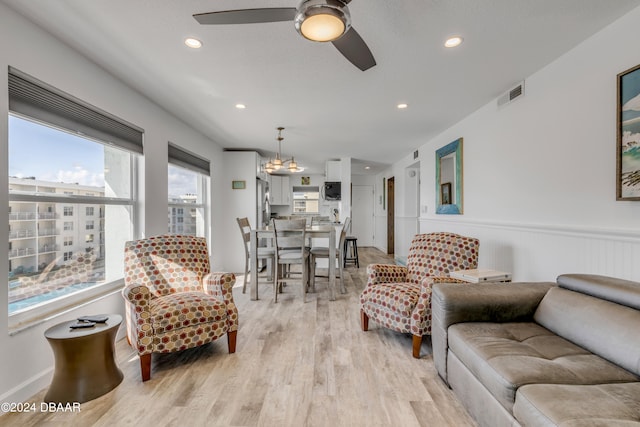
x=541, y=354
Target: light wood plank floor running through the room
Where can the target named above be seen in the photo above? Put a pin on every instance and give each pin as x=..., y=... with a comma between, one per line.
x=295, y=365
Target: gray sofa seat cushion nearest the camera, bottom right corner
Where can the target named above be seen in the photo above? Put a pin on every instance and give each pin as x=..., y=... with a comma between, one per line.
x=578, y=405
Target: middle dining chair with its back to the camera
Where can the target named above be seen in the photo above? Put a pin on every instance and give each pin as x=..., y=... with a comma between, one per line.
x=291, y=249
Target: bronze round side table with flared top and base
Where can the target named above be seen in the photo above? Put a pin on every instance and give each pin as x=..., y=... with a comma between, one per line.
x=84, y=364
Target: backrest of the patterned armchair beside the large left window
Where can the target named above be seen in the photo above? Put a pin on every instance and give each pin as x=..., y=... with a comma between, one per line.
x=167, y=264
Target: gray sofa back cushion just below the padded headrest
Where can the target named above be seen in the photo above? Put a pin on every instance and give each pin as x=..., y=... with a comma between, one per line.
x=599, y=326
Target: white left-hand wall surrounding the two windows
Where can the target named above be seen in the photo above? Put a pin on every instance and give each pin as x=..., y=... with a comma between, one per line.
x=26, y=360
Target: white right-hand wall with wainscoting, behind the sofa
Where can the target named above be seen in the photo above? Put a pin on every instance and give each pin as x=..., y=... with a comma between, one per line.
x=539, y=174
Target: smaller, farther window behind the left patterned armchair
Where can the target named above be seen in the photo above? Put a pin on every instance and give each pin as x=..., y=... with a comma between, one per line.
x=188, y=176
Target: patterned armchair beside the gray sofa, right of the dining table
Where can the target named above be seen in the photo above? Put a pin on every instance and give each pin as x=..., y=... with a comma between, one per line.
x=399, y=298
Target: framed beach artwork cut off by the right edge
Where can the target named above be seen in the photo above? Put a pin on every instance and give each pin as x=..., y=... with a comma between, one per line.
x=628, y=141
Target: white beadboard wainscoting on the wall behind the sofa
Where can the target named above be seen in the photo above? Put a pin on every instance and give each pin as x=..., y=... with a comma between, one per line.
x=542, y=252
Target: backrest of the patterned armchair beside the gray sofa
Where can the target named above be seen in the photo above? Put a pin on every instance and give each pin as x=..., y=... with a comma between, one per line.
x=438, y=254
